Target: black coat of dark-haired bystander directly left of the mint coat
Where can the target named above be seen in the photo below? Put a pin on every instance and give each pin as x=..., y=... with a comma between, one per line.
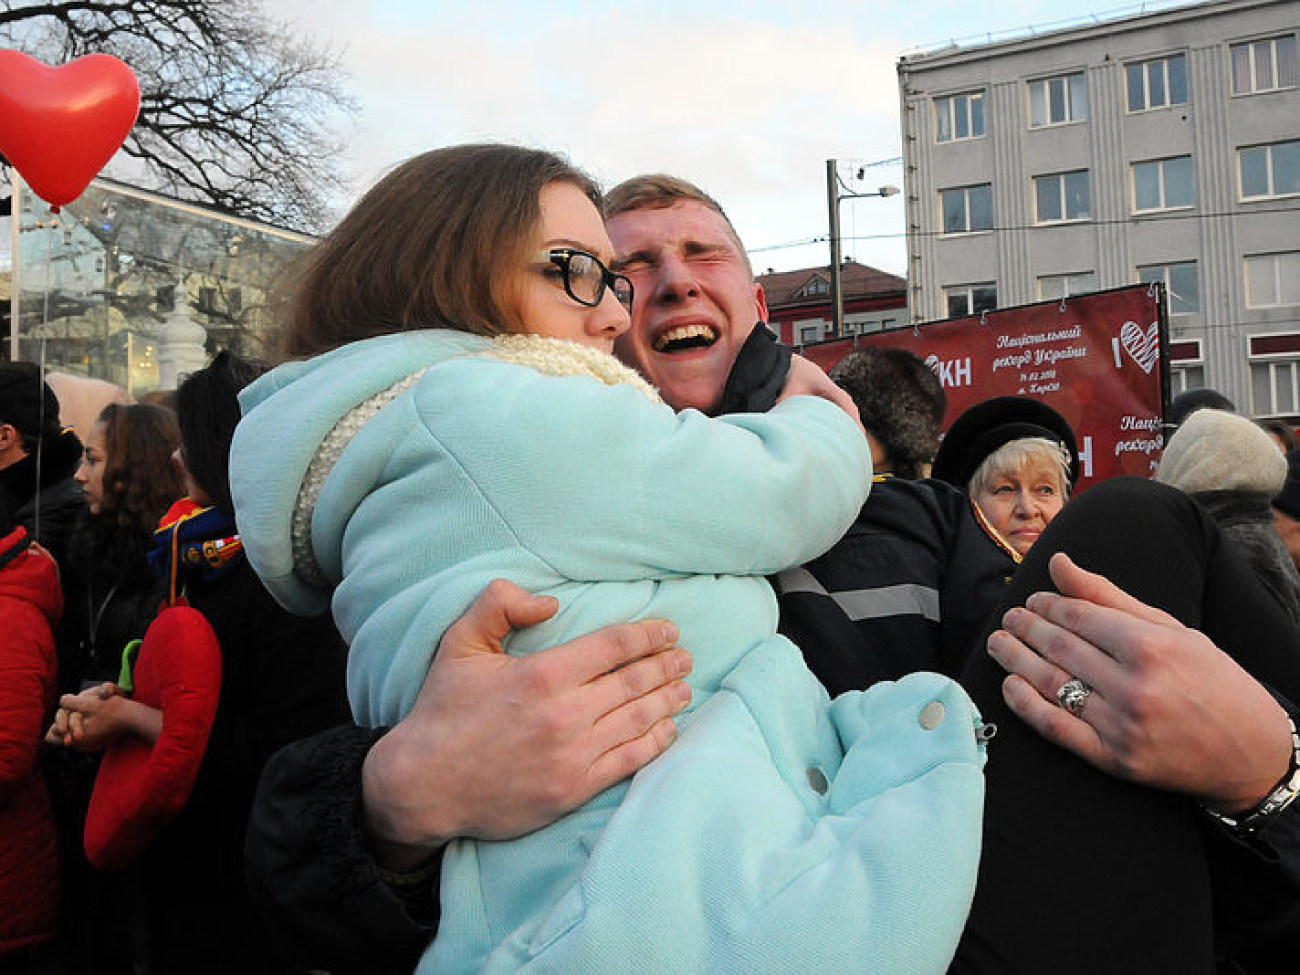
x=283, y=679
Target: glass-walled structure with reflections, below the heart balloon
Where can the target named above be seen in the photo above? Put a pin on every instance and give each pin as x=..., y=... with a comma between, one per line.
x=140, y=289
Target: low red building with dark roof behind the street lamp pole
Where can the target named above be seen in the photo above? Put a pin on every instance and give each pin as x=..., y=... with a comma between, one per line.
x=799, y=302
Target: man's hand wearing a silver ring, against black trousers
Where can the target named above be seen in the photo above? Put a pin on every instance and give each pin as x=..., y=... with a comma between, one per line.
x=1138, y=695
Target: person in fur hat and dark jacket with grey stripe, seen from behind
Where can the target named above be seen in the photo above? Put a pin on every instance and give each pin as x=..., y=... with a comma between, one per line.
x=916, y=577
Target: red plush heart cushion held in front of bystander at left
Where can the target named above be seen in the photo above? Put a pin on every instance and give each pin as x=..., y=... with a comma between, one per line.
x=141, y=787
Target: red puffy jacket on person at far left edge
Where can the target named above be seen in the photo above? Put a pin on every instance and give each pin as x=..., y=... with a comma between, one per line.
x=31, y=604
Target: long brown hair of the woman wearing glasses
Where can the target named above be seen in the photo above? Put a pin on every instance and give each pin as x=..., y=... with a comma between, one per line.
x=436, y=244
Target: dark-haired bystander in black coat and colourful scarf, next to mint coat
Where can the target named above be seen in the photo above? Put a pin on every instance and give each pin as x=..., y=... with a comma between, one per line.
x=281, y=678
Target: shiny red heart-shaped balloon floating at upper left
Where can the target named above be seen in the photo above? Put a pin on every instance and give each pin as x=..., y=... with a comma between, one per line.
x=59, y=127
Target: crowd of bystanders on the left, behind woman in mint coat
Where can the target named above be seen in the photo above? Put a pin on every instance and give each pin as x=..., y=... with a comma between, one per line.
x=142, y=522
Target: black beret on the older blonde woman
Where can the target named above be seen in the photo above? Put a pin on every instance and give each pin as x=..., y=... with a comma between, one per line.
x=993, y=424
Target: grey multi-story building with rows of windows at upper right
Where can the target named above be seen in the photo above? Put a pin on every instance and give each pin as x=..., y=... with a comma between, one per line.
x=1159, y=148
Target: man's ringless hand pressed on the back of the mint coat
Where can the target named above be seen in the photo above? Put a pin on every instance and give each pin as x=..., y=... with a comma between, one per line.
x=497, y=746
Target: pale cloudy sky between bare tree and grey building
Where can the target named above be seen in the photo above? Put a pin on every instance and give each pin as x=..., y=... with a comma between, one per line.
x=746, y=98
